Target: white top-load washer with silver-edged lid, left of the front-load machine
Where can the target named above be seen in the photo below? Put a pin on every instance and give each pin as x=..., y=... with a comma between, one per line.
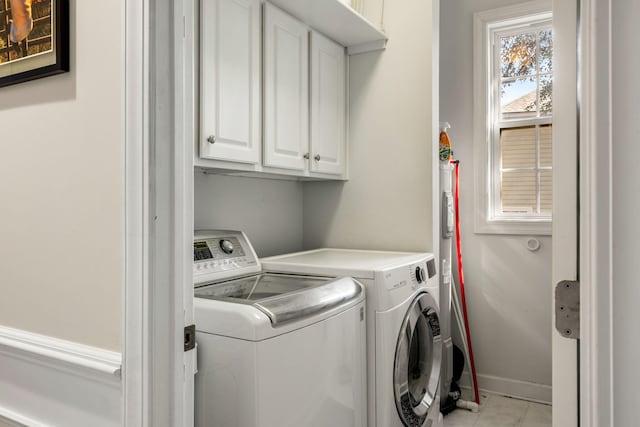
x=275, y=350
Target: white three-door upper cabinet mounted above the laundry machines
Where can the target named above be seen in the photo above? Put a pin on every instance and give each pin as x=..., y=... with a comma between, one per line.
x=273, y=93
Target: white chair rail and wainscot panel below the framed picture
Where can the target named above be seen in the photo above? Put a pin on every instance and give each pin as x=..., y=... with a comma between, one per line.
x=47, y=381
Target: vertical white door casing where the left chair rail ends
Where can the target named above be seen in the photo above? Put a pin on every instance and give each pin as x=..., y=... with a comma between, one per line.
x=135, y=326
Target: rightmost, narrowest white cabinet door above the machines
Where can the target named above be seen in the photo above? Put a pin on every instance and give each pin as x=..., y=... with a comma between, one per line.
x=328, y=106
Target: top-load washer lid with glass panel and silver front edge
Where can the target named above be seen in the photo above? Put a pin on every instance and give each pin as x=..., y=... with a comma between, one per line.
x=282, y=297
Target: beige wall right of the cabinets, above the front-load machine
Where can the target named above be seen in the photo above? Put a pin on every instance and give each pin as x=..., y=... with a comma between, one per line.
x=386, y=203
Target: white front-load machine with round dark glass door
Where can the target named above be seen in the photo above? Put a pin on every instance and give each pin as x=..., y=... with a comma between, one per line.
x=404, y=346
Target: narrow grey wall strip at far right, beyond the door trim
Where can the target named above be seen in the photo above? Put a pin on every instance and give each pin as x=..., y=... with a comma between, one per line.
x=626, y=205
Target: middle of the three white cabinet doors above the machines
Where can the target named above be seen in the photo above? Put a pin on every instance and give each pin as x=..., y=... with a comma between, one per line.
x=286, y=90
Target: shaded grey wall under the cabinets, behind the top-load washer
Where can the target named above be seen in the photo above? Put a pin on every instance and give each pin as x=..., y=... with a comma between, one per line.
x=269, y=211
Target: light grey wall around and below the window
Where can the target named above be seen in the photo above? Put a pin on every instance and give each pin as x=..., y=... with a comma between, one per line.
x=508, y=287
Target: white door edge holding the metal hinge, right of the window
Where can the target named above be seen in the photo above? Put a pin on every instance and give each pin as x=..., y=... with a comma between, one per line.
x=565, y=204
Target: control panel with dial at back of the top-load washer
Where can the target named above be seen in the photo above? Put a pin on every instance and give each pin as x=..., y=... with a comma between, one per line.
x=221, y=254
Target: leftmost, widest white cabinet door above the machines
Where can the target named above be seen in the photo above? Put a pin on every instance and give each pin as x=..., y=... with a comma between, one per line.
x=230, y=80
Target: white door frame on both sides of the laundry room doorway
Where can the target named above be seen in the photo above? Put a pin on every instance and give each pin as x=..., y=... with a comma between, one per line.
x=141, y=296
